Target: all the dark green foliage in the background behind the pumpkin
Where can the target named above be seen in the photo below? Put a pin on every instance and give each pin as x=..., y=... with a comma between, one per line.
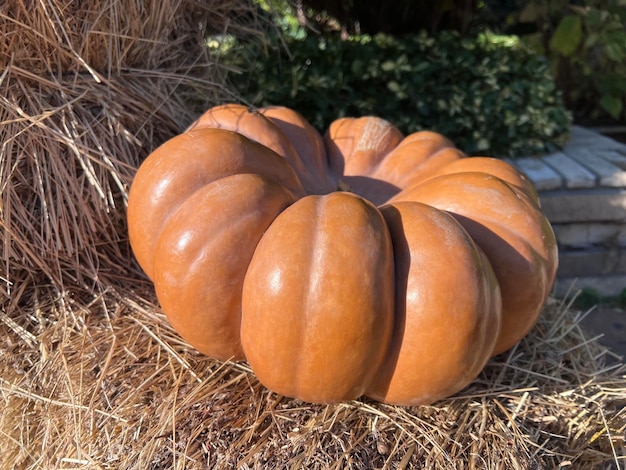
x=499, y=77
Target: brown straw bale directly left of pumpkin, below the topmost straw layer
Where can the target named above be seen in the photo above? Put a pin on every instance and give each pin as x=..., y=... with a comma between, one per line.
x=69, y=153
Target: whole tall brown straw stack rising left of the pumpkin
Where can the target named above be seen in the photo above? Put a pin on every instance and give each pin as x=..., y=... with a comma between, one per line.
x=87, y=90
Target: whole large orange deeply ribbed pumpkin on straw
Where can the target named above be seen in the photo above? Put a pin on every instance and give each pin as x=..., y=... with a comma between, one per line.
x=361, y=262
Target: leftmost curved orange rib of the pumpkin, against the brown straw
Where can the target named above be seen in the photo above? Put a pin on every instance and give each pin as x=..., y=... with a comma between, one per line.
x=183, y=165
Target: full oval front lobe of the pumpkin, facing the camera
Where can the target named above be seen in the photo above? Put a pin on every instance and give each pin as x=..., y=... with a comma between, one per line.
x=307, y=300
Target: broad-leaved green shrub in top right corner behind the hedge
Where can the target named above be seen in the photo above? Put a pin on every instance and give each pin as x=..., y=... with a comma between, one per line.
x=585, y=43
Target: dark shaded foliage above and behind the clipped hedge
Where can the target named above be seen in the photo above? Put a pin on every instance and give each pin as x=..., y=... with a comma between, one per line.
x=583, y=40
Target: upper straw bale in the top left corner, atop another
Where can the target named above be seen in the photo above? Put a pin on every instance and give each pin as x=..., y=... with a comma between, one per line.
x=104, y=37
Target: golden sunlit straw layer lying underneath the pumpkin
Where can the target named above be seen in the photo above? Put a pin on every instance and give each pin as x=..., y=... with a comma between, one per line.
x=120, y=390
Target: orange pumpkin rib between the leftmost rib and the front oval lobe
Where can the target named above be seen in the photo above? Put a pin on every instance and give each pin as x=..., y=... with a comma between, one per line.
x=207, y=315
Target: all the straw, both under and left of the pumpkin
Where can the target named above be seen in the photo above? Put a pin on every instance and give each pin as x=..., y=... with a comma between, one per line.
x=92, y=375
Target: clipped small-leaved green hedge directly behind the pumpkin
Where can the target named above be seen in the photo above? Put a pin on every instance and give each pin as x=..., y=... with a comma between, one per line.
x=488, y=94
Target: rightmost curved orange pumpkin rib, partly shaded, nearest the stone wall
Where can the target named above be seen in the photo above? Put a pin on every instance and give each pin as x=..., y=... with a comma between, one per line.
x=522, y=250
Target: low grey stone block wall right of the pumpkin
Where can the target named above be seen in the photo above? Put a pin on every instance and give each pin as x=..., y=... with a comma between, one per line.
x=582, y=190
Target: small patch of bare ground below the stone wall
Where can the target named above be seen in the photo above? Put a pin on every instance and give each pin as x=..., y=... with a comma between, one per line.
x=611, y=323
